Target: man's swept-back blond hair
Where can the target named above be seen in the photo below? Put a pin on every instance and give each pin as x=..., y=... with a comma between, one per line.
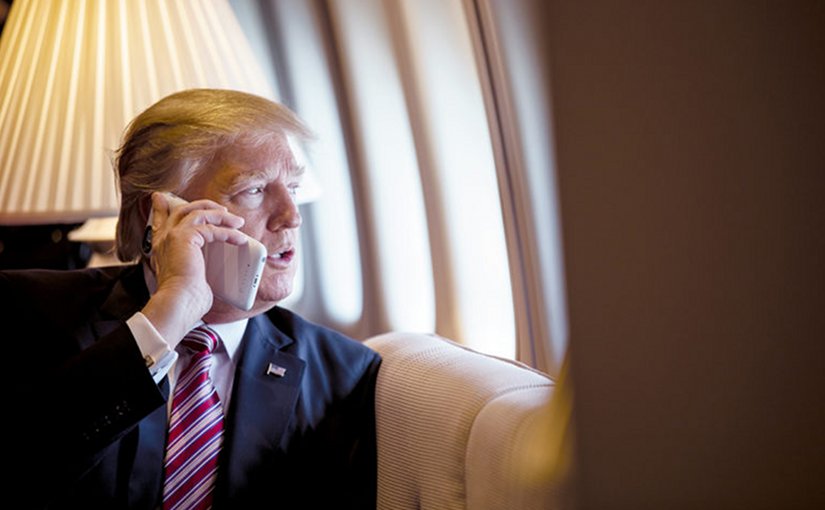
x=171, y=141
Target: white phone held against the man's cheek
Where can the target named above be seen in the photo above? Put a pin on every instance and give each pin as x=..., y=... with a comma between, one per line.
x=233, y=272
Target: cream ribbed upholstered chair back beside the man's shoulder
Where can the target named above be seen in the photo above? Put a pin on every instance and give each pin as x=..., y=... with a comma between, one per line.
x=454, y=425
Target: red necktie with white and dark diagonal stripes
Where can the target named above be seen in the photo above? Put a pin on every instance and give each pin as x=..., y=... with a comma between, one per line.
x=195, y=429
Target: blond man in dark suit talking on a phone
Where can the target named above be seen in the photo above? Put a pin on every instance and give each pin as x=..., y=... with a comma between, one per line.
x=100, y=353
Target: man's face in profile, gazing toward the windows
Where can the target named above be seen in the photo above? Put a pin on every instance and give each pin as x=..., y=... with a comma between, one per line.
x=259, y=184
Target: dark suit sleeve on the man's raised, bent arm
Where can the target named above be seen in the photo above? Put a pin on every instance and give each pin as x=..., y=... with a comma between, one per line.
x=73, y=394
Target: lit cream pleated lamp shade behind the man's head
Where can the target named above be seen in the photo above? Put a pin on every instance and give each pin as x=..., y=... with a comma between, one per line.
x=73, y=73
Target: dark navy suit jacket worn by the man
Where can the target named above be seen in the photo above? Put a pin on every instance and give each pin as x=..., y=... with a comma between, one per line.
x=90, y=423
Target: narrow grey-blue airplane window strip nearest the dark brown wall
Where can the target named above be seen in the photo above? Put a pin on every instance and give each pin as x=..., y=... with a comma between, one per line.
x=518, y=80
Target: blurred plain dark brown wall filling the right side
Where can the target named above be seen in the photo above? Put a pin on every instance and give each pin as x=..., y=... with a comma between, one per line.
x=690, y=156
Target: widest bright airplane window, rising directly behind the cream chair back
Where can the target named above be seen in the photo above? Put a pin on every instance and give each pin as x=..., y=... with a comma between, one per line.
x=476, y=305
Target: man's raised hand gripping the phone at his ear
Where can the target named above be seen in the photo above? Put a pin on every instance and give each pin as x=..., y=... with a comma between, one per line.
x=180, y=230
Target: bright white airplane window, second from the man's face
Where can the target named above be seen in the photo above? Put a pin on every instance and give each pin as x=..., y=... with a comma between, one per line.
x=392, y=185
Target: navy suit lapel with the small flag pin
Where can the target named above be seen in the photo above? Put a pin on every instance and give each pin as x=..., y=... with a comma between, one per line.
x=263, y=401
